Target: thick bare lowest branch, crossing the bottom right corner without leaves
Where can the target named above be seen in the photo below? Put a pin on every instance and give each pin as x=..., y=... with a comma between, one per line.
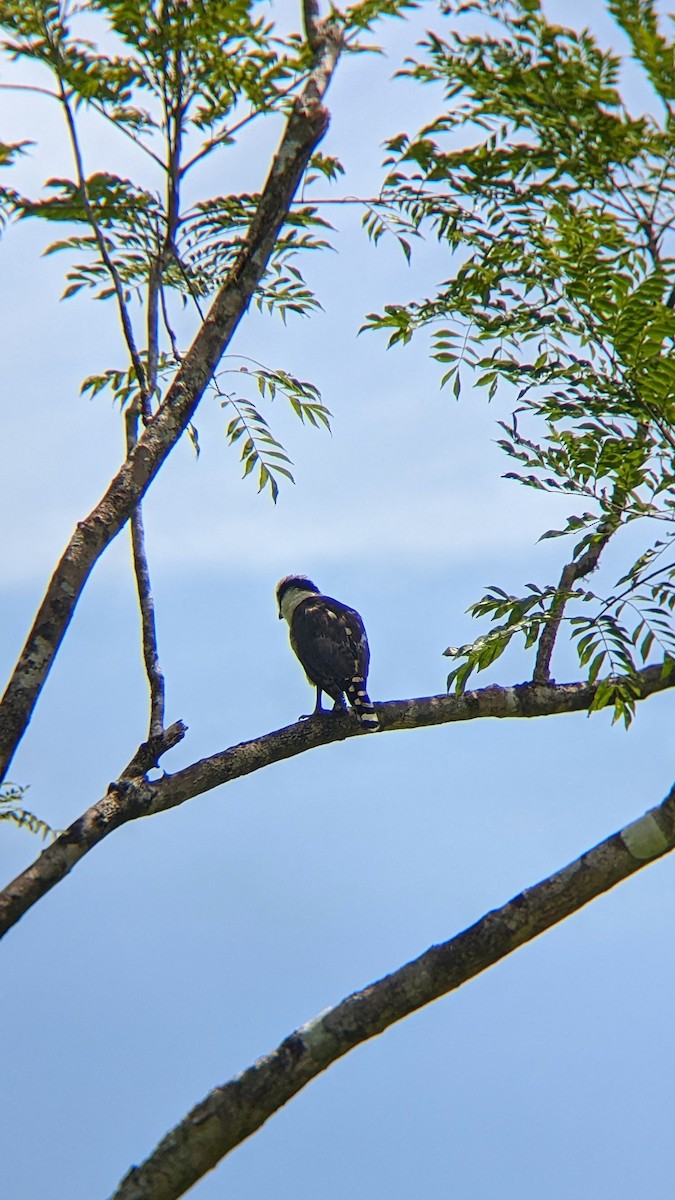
x=232, y=1113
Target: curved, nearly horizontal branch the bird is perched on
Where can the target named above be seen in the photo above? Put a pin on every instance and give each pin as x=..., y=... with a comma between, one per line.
x=134, y=796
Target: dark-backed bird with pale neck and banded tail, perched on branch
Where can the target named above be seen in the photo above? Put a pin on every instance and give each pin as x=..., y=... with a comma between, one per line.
x=330, y=640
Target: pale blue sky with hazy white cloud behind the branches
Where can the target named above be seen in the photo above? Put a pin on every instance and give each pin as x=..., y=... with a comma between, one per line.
x=190, y=944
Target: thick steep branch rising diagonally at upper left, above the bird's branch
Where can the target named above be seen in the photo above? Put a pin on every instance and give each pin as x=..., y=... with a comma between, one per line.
x=304, y=129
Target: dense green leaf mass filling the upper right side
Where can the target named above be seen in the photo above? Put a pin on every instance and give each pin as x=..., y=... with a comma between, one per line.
x=554, y=206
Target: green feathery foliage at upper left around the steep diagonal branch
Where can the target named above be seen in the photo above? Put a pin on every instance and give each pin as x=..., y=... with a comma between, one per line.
x=184, y=81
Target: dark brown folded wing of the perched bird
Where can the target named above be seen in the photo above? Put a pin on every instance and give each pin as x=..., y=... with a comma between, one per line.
x=330, y=640
